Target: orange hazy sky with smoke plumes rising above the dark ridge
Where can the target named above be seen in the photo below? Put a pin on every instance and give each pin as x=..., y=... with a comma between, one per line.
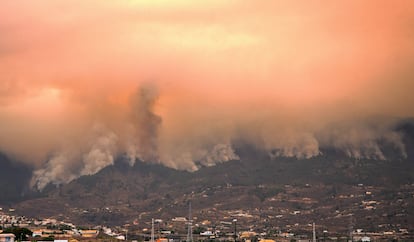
x=178, y=81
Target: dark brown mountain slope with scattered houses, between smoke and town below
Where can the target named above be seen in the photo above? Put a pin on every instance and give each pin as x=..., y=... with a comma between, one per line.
x=119, y=193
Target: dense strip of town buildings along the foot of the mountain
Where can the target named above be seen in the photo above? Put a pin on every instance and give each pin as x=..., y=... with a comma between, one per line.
x=237, y=225
